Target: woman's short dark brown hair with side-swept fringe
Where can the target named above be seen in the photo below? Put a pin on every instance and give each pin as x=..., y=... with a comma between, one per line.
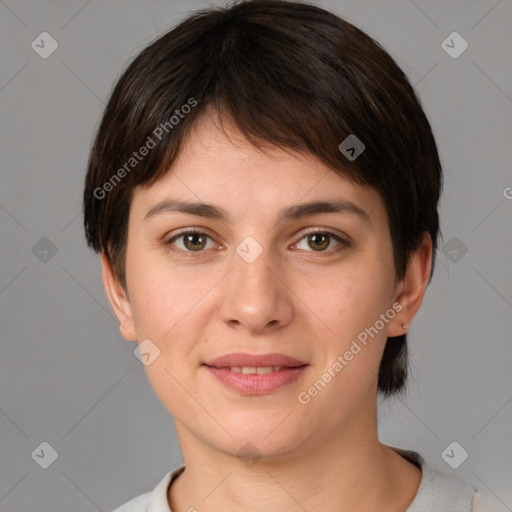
x=289, y=74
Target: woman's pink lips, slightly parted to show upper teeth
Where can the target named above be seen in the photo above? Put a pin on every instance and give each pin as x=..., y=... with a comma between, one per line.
x=255, y=374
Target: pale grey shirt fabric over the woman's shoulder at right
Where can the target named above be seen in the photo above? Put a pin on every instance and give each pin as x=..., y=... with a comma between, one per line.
x=438, y=490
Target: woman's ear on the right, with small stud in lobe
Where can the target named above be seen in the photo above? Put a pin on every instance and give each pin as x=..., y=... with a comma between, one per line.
x=413, y=286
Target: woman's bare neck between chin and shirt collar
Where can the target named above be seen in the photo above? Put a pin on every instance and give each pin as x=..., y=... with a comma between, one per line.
x=348, y=470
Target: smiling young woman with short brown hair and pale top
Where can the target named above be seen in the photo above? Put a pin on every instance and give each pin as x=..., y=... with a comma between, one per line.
x=263, y=190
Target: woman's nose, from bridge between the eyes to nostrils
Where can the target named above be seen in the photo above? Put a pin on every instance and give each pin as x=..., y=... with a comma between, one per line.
x=256, y=297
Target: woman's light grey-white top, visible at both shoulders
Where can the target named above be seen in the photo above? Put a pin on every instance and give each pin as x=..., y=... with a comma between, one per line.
x=438, y=492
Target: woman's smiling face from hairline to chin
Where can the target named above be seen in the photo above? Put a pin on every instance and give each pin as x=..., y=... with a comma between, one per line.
x=272, y=286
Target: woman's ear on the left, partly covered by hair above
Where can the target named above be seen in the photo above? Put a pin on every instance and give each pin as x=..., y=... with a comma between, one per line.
x=118, y=300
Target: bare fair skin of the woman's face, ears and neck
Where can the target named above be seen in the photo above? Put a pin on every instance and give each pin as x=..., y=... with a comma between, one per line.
x=304, y=302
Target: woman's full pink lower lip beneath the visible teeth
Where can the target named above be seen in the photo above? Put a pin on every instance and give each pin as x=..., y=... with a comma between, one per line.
x=255, y=384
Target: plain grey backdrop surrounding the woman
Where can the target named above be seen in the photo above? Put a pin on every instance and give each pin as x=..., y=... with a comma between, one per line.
x=67, y=376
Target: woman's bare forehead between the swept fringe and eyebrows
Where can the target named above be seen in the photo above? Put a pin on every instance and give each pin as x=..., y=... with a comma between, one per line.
x=218, y=165
